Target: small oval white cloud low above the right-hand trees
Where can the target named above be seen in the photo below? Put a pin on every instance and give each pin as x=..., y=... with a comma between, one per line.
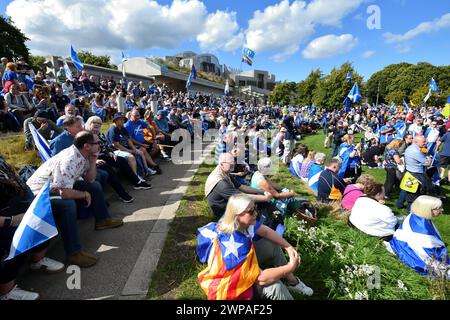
x=329, y=46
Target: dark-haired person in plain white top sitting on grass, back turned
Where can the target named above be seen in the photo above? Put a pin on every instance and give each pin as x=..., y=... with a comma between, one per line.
x=371, y=216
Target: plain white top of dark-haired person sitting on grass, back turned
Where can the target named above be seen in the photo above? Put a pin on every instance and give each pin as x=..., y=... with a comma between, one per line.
x=373, y=218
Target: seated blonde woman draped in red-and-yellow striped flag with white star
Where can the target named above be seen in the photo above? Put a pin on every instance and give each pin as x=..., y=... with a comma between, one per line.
x=235, y=247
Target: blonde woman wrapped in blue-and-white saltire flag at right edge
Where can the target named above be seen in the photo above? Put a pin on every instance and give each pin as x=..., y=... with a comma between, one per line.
x=418, y=243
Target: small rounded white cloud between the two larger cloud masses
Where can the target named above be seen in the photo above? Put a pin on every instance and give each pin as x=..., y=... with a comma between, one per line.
x=221, y=31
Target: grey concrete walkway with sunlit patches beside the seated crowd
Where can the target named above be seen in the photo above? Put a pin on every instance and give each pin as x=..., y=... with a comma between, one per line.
x=127, y=255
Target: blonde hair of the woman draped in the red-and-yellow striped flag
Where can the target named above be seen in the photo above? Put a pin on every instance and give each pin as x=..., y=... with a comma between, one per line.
x=235, y=207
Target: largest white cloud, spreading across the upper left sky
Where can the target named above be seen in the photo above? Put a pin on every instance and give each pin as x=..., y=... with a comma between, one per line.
x=106, y=27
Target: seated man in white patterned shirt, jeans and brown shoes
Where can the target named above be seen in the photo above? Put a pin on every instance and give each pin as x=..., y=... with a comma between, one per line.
x=64, y=171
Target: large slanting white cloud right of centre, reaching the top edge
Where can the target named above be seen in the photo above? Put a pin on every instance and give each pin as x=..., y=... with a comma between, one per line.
x=283, y=27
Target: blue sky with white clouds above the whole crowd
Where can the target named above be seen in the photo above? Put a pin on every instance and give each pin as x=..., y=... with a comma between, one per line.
x=290, y=38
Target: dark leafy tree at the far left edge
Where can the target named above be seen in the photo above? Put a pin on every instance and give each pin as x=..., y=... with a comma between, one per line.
x=13, y=40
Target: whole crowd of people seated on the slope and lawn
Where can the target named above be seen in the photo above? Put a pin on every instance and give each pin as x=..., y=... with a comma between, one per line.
x=249, y=137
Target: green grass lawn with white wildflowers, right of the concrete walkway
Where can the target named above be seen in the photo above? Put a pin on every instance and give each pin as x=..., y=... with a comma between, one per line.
x=337, y=262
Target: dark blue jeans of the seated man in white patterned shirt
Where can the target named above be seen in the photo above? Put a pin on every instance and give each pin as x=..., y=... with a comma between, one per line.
x=65, y=213
